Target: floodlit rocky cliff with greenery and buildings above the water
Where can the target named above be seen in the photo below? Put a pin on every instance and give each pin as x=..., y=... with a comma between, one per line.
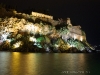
x=37, y=31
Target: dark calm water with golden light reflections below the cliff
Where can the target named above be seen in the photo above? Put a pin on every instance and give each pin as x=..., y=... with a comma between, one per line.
x=16, y=63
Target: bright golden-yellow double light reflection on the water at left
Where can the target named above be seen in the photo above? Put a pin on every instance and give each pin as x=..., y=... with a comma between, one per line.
x=23, y=64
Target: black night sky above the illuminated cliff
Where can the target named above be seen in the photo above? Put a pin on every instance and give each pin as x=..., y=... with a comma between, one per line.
x=85, y=13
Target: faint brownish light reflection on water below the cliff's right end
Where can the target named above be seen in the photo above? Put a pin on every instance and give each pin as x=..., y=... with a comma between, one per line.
x=71, y=63
